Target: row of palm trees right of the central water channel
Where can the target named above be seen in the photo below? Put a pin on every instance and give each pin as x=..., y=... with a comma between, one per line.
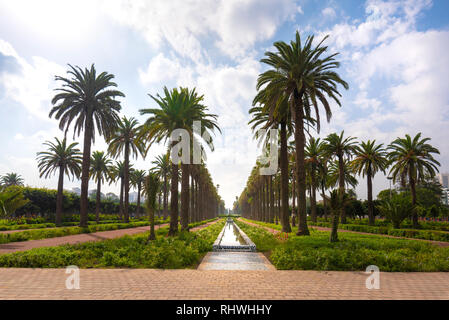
x=300, y=78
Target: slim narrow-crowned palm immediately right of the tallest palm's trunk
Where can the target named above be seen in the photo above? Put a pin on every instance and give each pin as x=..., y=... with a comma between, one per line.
x=313, y=154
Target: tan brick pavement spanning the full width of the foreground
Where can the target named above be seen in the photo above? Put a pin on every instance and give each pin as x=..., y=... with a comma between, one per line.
x=197, y=284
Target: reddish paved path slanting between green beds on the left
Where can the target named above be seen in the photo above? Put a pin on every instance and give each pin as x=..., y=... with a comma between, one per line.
x=79, y=238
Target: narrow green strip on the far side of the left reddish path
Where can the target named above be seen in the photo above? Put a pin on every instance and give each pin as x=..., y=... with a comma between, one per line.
x=35, y=234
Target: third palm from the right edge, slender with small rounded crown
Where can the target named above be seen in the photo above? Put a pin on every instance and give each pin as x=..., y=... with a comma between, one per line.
x=340, y=148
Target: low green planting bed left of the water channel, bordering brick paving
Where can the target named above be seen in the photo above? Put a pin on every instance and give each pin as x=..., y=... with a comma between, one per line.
x=182, y=251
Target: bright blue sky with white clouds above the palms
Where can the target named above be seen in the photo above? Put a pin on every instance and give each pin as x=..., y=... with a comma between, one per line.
x=393, y=54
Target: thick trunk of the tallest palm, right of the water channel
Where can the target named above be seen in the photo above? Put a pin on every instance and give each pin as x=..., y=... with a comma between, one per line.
x=300, y=167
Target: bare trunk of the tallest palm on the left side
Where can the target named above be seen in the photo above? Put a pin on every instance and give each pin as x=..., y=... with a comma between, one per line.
x=84, y=200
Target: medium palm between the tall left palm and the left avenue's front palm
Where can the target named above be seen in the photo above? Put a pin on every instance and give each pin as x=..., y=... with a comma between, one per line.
x=124, y=140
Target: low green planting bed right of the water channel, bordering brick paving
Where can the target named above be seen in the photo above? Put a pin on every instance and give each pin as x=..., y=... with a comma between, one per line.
x=354, y=252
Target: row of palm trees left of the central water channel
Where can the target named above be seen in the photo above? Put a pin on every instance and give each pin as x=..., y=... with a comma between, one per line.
x=90, y=102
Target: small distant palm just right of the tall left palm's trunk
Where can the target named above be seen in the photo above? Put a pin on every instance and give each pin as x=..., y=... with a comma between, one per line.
x=100, y=171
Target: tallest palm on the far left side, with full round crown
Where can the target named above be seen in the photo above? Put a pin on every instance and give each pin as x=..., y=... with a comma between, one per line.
x=88, y=100
